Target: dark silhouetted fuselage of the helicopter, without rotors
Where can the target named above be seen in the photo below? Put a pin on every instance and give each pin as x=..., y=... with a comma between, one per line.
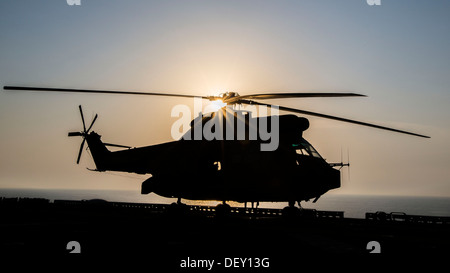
x=226, y=169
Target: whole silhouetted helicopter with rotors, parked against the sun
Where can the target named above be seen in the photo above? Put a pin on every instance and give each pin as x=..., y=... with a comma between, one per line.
x=226, y=169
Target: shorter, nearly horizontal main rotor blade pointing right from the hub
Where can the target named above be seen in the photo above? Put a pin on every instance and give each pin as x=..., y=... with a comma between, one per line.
x=293, y=95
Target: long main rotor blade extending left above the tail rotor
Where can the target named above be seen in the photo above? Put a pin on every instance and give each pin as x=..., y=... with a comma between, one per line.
x=44, y=89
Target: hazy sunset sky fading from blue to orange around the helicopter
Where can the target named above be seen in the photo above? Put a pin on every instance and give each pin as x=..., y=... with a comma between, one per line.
x=397, y=53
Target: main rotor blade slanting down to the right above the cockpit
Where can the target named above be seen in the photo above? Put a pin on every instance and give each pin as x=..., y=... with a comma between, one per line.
x=334, y=118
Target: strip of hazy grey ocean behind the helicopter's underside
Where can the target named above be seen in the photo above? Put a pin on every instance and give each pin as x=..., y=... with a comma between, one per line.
x=353, y=206
